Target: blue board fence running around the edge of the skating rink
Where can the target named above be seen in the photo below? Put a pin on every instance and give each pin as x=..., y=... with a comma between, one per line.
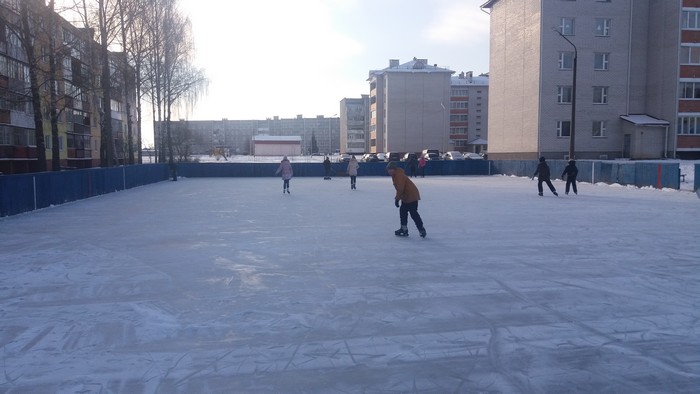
x=27, y=192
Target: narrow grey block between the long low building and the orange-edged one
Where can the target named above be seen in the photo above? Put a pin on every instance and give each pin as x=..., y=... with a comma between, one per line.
x=354, y=125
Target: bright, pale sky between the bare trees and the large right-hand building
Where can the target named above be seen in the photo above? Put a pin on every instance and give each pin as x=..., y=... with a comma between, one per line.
x=286, y=58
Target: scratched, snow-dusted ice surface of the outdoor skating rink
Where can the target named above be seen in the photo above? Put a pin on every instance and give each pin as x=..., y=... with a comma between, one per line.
x=224, y=285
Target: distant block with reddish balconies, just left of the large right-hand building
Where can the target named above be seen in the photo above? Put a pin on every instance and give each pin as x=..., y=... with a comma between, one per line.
x=469, y=112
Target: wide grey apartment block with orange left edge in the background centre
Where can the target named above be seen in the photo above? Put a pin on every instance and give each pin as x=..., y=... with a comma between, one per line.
x=409, y=107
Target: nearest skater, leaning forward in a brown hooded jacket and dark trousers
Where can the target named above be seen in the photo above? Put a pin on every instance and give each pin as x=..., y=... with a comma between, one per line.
x=406, y=193
